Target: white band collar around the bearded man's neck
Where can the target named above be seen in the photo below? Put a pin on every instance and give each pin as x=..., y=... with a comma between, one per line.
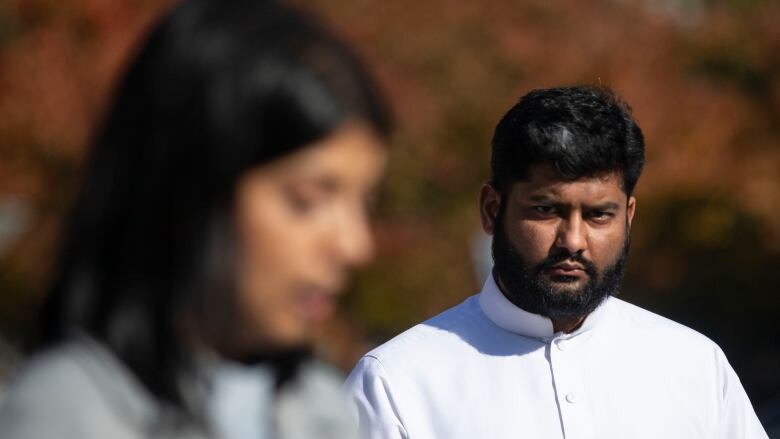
x=514, y=319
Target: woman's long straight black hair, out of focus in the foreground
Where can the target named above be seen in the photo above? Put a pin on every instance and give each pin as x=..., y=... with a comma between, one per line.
x=219, y=87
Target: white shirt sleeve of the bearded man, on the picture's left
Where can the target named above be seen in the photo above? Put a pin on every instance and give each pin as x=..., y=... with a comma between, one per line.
x=370, y=398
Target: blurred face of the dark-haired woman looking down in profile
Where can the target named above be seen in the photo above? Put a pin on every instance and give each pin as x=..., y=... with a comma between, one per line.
x=302, y=226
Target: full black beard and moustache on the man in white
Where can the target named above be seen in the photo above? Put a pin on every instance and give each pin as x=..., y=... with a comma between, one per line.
x=526, y=286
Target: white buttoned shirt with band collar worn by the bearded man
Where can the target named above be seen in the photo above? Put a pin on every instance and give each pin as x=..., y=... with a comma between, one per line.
x=488, y=369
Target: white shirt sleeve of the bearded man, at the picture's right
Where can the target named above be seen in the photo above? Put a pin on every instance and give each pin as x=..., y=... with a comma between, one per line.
x=738, y=419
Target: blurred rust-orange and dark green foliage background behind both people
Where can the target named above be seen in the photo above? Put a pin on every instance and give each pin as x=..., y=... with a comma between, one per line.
x=703, y=77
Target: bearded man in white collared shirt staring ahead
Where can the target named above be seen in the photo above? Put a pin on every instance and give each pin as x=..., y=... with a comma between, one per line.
x=545, y=350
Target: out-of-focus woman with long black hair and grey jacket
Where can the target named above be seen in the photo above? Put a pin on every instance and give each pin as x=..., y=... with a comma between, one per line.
x=223, y=206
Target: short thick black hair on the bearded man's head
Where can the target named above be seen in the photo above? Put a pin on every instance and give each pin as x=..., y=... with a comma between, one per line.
x=580, y=131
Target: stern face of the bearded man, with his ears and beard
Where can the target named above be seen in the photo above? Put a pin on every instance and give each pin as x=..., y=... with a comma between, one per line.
x=559, y=246
